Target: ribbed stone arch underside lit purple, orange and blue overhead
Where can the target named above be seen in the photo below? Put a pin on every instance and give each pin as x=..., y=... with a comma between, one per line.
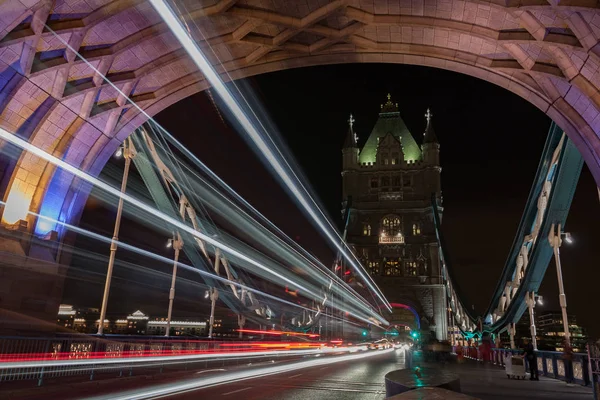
x=545, y=52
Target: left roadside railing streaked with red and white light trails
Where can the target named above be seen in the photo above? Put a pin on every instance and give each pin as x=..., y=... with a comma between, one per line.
x=42, y=358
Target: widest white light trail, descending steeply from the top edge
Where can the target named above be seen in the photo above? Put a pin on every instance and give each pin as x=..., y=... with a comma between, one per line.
x=277, y=163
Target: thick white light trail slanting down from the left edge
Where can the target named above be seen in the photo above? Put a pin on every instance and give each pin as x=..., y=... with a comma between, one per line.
x=149, y=209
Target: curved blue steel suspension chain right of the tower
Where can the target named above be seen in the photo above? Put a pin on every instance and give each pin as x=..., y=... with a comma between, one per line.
x=557, y=175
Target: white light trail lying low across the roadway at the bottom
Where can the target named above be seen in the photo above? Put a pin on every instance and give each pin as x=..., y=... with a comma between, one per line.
x=160, y=391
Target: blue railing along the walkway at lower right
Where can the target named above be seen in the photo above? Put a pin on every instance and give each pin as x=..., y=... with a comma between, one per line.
x=550, y=363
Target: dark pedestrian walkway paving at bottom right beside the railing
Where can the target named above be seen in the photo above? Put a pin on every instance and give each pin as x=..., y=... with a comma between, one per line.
x=490, y=383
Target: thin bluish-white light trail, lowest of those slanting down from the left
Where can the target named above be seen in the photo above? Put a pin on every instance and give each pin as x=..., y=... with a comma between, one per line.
x=169, y=261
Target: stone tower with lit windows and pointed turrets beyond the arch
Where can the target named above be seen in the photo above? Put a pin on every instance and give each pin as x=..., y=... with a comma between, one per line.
x=390, y=182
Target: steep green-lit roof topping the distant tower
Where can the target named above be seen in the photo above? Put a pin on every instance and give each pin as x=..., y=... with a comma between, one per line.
x=390, y=122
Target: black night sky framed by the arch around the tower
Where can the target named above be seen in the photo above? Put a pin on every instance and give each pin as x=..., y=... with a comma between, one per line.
x=491, y=141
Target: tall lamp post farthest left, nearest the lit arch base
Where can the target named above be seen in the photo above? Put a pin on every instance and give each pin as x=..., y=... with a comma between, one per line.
x=128, y=152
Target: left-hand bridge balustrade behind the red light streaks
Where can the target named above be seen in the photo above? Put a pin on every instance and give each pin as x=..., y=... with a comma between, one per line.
x=89, y=348
